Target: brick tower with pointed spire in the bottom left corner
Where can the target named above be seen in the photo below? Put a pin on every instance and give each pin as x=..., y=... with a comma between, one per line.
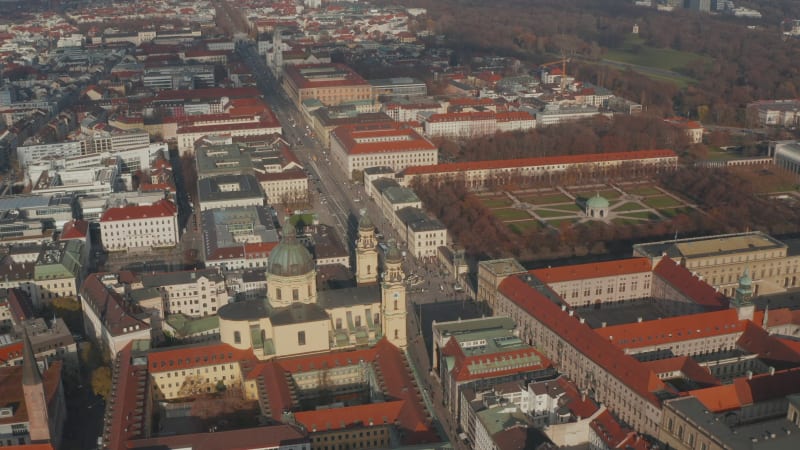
x=33, y=392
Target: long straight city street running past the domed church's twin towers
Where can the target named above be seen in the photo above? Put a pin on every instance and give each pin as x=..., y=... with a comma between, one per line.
x=339, y=203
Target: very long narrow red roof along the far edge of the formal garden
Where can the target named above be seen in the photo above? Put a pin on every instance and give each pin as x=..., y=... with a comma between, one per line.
x=541, y=161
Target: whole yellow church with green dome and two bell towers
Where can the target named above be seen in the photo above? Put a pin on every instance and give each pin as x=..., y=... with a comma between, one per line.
x=296, y=318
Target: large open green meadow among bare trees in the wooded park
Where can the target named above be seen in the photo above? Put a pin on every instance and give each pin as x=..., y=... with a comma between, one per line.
x=634, y=51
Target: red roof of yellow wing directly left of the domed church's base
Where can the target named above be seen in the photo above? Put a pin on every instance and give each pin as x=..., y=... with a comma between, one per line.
x=189, y=357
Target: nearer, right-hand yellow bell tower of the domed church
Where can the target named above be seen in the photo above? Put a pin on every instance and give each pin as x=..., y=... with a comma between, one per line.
x=393, y=298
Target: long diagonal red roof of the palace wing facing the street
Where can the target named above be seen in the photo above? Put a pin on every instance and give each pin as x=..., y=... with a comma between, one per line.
x=625, y=368
